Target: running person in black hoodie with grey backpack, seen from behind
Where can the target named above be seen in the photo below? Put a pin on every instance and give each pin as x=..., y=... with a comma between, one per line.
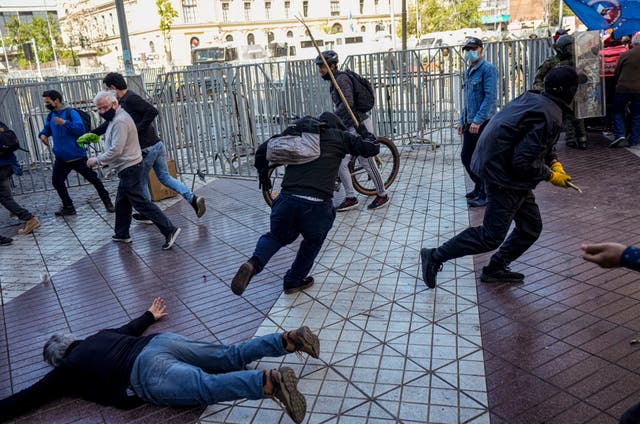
x=305, y=203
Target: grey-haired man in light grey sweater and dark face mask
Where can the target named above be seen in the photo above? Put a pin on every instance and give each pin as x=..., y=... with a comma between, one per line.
x=123, y=155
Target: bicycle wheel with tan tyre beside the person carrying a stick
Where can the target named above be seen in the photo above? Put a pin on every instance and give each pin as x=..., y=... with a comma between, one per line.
x=388, y=161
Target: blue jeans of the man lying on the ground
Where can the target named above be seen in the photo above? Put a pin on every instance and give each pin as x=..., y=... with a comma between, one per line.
x=175, y=371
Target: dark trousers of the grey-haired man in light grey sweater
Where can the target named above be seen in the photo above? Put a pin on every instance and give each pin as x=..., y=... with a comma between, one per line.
x=130, y=195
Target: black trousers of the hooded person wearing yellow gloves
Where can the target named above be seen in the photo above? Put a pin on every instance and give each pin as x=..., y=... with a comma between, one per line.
x=503, y=207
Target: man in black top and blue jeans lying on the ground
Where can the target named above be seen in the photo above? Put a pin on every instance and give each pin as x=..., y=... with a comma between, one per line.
x=122, y=368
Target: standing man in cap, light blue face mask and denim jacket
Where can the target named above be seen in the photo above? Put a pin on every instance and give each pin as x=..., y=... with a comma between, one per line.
x=480, y=92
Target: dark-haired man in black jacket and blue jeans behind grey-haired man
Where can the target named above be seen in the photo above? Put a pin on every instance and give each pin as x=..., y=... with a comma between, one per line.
x=153, y=150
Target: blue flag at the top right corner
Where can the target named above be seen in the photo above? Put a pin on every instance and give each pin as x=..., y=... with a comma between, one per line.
x=622, y=16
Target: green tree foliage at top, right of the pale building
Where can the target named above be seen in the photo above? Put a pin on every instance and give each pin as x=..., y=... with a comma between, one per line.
x=442, y=15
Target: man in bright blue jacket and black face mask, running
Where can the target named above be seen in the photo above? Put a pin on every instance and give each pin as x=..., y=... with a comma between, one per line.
x=65, y=125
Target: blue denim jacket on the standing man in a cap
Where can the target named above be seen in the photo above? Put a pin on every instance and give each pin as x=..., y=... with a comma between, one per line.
x=480, y=92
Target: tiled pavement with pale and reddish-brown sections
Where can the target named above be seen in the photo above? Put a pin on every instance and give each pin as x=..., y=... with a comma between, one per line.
x=555, y=349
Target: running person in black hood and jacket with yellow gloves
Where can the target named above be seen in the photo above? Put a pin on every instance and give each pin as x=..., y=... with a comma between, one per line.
x=514, y=153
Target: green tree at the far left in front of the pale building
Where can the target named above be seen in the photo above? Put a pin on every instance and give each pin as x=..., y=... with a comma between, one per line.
x=19, y=33
